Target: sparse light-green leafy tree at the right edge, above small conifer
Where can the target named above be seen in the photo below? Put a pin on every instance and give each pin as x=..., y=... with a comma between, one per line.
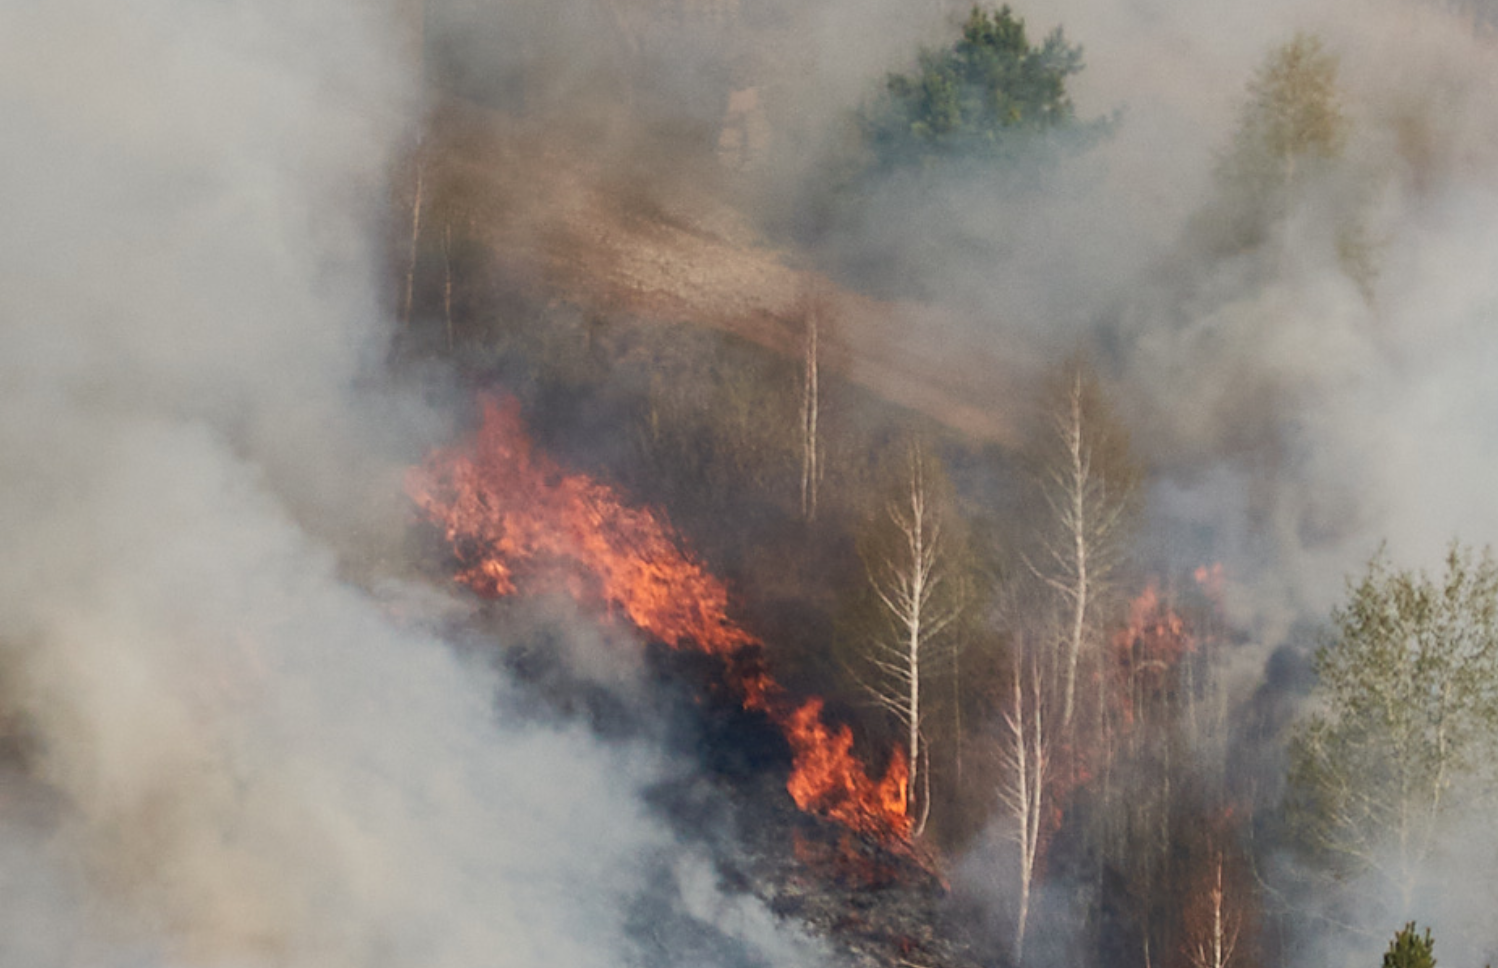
x=1407, y=714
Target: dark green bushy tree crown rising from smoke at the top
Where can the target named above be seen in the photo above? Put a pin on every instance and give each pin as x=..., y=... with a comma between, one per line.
x=986, y=97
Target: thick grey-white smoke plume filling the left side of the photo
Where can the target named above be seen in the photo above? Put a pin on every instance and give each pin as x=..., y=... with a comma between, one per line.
x=222, y=750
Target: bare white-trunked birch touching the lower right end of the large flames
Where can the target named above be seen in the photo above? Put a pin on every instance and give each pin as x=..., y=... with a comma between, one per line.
x=916, y=582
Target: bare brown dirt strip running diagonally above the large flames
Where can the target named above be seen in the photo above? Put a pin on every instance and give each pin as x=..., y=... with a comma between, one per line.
x=567, y=224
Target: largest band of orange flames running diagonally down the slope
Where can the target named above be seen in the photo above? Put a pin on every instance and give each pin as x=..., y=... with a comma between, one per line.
x=515, y=518
